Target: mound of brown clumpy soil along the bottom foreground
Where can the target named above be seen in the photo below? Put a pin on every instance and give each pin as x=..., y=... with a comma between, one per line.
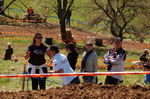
x=83, y=91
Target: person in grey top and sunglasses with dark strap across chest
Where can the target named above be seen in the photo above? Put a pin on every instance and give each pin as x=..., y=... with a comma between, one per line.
x=89, y=63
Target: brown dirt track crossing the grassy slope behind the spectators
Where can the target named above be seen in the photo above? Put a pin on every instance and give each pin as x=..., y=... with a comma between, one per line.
x=53, y=31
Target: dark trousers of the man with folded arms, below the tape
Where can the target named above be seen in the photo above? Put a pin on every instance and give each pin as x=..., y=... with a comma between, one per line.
x=113, y=81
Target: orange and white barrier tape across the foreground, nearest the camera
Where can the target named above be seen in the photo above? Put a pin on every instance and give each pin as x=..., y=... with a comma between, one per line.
x=72, y=74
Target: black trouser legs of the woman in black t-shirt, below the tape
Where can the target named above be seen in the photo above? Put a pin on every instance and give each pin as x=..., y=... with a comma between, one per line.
x=38, y=81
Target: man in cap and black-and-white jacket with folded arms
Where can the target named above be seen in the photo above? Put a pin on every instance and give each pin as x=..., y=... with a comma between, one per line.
x=115, y=59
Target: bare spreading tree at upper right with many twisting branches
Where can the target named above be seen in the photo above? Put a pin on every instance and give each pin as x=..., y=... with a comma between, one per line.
x=118, y=14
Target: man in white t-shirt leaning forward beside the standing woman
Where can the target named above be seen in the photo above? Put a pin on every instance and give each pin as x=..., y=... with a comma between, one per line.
x=61, y=65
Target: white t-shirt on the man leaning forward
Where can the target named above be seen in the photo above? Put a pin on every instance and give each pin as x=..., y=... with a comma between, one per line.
x=61, y=62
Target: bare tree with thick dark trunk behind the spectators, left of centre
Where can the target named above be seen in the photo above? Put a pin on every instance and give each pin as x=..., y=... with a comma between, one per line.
x=61, y=9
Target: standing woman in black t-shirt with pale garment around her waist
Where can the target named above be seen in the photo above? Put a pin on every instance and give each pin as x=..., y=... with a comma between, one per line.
x=36, y=55
